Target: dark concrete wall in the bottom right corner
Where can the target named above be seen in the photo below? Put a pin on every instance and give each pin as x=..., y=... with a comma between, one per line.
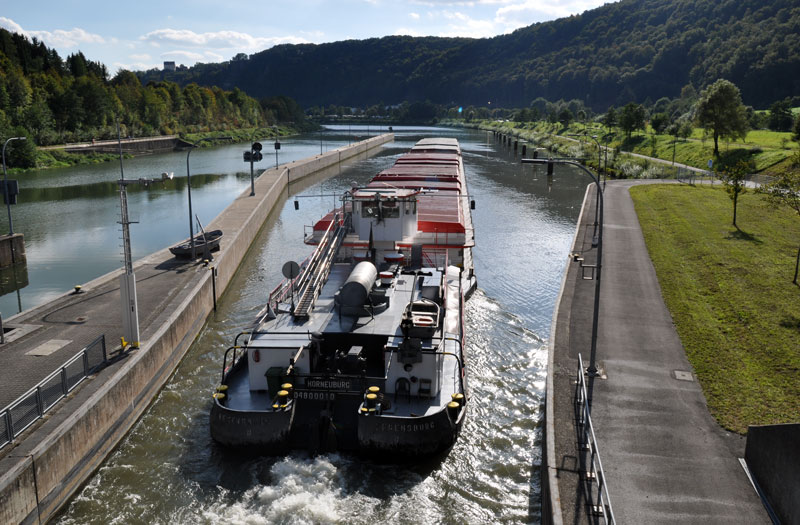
x=773, y=458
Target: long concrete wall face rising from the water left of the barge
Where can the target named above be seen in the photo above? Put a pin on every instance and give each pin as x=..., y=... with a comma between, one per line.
x=43, y=471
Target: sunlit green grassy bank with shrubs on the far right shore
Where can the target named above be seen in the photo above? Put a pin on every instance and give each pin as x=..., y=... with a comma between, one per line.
x=767, y=152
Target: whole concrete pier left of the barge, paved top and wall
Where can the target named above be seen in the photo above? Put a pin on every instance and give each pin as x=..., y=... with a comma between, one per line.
x=44, y=466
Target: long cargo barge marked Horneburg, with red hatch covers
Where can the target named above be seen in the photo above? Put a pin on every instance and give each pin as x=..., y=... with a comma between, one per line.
x=361, y=348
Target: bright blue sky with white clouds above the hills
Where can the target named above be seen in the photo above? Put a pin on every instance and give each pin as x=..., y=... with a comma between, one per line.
x=145, y=33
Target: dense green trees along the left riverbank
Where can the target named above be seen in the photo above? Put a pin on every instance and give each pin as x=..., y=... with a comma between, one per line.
x=55, y=101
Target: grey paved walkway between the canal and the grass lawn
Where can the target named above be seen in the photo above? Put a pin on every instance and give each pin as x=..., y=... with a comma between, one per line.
x=665, y=458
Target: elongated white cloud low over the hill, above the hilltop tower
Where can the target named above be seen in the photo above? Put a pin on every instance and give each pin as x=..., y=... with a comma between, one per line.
x=217, y=39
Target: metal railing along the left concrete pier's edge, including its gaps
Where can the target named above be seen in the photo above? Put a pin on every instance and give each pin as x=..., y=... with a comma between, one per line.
x=32, y=405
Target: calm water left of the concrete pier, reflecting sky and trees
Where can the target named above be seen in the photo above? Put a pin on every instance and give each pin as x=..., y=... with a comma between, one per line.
x=70, y=216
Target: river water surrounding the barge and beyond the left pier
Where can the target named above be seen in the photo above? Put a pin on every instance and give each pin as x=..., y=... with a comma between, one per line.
x=168, y=470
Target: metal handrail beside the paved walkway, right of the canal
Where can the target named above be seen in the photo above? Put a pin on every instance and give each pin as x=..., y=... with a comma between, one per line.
x=588, y=440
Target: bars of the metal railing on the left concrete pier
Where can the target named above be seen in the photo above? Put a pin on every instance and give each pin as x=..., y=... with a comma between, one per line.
x=38, y=396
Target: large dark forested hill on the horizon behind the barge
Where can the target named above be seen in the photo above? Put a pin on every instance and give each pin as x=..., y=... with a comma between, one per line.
x=626, y=51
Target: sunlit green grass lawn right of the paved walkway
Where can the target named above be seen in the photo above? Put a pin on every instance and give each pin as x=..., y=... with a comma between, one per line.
x=731, y=296
